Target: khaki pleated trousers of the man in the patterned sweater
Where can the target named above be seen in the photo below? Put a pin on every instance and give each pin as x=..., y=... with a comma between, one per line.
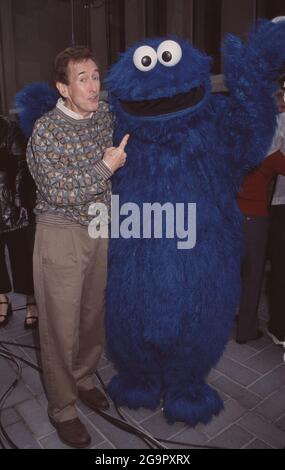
x=70, y=279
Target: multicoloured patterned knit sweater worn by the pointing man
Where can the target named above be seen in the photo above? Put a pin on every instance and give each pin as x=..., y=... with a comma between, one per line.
x=65, y=159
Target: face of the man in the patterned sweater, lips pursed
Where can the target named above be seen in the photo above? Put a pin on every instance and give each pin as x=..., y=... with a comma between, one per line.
x=82, y=92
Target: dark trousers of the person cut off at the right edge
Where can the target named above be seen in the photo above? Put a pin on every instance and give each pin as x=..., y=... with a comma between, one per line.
x=276, y=279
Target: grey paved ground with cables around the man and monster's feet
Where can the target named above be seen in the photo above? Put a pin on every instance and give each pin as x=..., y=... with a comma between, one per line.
x=250, y=378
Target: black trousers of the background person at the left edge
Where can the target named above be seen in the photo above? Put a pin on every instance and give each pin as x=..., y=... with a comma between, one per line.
x=20, y=249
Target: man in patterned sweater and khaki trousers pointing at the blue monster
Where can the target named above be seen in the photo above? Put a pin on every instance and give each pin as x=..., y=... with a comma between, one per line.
x=71, y=159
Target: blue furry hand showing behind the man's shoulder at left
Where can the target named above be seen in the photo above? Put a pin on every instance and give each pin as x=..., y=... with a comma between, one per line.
x=33, y=101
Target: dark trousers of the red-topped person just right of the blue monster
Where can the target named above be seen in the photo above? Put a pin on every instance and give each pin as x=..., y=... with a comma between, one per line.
x=256, y=235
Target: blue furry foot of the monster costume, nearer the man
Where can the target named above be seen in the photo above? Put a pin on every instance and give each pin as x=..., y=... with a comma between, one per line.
x=126, y=391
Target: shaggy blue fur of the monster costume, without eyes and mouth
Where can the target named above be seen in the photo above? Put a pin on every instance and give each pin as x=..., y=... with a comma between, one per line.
x=170, y=311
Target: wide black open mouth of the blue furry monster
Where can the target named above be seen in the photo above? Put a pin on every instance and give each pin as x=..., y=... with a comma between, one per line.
x=165, y=105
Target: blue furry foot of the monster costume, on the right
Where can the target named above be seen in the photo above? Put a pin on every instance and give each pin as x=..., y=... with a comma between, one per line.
x=199, y=404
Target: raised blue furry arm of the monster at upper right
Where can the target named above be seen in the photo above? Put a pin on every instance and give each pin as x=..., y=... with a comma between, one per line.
x=251, y=72
